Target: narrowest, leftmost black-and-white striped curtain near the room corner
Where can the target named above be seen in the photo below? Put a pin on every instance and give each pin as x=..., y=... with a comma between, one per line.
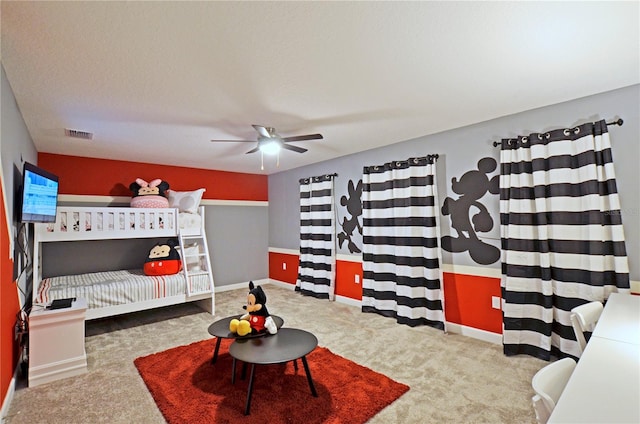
x=316, y=268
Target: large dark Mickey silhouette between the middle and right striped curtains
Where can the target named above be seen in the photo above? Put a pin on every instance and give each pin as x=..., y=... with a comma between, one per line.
x=471, y=187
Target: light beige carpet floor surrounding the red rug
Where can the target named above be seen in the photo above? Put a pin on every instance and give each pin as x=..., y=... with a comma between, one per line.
x=453, y=378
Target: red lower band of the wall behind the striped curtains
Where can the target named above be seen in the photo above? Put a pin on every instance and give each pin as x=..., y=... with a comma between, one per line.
x=467, y=297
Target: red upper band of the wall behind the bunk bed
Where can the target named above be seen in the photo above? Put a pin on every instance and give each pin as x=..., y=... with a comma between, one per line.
x=106, y=177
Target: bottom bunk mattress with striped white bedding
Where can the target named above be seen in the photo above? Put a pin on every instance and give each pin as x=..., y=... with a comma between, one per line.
x=117, y=292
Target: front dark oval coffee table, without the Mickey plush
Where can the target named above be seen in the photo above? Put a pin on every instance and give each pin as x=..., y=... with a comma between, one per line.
x=288, y=344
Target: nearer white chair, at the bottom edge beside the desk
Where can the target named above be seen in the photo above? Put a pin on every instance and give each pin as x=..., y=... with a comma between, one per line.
x=548, y=383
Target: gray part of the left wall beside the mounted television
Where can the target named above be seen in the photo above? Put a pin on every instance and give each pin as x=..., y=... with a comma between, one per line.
x=16, y=147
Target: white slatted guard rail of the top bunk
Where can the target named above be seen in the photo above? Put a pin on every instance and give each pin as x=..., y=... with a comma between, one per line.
x=99, y=223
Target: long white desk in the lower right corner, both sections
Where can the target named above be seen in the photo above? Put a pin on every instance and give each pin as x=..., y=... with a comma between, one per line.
x=605, y=385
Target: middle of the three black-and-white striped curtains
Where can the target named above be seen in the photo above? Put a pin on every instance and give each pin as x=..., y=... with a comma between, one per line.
x=401, y=254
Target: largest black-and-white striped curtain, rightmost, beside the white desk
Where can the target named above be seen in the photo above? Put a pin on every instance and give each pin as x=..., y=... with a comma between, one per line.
x=561, y=233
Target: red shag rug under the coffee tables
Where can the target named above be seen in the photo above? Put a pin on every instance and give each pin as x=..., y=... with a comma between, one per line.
x=189, y=389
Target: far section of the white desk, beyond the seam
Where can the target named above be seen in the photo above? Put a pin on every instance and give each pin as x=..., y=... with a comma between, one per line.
x=620, y=319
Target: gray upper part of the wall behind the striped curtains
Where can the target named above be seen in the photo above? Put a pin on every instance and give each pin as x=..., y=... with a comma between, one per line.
x=461, y=148
